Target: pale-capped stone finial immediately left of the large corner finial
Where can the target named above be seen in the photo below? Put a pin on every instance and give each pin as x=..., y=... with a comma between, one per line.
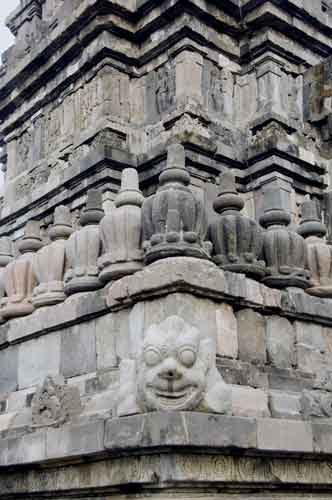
x=121, y=231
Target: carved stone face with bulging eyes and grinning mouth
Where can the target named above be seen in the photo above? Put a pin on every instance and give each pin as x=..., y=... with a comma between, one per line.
x=173, y=368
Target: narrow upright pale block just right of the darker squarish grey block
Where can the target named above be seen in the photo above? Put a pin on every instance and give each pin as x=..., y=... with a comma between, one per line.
x=105, y=342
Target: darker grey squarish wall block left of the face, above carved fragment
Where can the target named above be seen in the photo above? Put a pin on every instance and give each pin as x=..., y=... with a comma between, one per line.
x=78, y=349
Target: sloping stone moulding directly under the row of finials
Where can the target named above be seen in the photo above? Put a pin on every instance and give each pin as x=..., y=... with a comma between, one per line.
x=166, y=277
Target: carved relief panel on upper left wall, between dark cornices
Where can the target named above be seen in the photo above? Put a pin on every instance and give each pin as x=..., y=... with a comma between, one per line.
x=105, y=93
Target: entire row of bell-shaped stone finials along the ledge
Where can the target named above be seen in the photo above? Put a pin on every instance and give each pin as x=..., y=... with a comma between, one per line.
x=172, y=222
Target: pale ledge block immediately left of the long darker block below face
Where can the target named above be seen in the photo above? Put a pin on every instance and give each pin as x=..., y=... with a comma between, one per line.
x=75, y=440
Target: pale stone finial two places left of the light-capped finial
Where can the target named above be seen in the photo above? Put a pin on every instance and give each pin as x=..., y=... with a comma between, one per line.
x=50, y=262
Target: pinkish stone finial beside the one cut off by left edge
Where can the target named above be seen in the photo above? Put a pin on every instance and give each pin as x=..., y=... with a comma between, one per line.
x=19, y=277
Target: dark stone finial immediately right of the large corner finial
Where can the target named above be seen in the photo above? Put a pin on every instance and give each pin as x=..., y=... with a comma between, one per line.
x=237, y=240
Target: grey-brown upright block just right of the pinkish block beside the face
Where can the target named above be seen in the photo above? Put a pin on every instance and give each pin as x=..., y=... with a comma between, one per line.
x=251, y=336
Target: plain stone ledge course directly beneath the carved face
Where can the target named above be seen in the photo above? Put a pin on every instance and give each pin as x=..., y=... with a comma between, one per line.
x=178, y=431
